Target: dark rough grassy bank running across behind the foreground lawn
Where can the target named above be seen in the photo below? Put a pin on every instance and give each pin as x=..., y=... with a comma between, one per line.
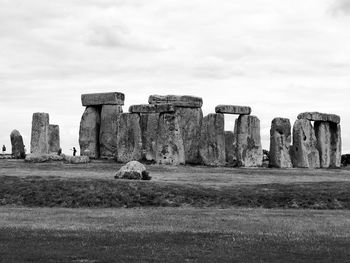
x=73, y=192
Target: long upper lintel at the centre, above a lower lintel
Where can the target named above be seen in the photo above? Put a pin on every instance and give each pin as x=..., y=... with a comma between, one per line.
x=180, y=101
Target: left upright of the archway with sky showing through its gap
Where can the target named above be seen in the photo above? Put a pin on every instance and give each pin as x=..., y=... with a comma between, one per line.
x=212, y=141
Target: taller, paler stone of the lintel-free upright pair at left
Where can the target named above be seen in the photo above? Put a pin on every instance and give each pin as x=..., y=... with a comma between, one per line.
x=40, y=133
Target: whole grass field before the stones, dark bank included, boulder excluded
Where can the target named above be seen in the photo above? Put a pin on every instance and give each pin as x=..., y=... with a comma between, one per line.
x=178, y=216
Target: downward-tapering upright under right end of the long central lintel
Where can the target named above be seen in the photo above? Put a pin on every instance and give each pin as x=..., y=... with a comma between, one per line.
x=190, y=122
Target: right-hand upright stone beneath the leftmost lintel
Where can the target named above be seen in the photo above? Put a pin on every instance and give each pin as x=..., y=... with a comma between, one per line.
x=108, y=130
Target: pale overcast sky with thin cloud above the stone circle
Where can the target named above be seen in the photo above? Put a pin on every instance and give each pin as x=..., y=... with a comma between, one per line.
x=279, y=57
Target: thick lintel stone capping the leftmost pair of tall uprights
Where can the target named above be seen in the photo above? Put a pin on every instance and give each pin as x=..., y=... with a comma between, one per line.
x=108, y=98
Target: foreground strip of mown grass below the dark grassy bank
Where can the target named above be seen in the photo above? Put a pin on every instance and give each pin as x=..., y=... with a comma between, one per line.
x=173, y=235
